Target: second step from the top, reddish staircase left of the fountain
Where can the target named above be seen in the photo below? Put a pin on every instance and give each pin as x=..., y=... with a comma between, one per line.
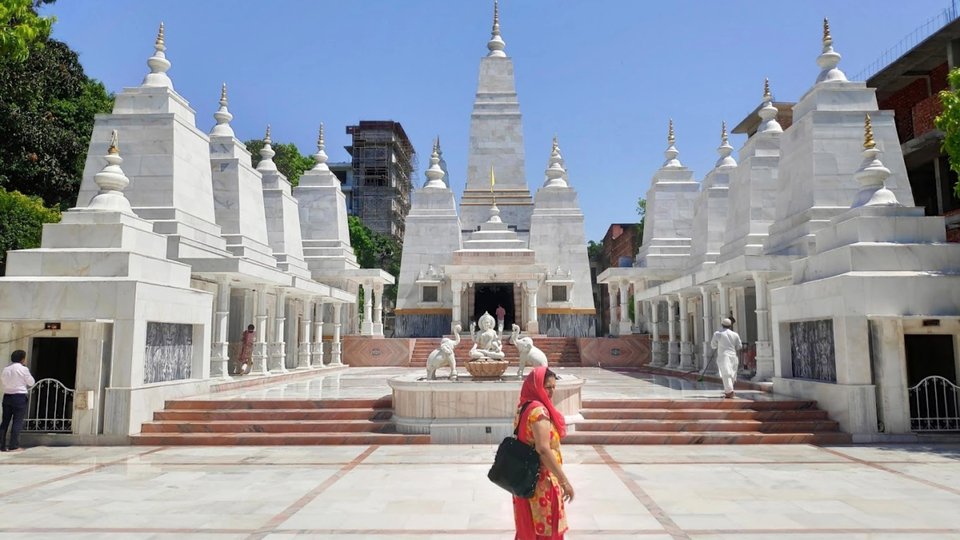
x=192, y=415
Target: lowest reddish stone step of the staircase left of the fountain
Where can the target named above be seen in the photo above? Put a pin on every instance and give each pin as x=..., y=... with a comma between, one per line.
x=275, y=439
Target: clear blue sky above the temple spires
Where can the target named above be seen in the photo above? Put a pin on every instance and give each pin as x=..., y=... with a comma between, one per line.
x=604, y=75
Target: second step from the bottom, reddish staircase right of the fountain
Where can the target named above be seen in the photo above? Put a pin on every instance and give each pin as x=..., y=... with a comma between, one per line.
x=812, y=426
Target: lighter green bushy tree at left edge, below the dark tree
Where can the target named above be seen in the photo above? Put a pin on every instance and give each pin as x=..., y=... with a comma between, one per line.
x=21, y=222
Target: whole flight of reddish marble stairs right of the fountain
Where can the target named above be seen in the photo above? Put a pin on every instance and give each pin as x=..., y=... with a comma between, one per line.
x=702, y=421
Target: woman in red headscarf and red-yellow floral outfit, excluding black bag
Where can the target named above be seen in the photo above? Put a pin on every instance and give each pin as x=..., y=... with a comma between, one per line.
x=542, y=517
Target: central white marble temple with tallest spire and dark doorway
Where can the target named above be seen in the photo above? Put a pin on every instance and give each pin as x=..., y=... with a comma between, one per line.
x=505, y=249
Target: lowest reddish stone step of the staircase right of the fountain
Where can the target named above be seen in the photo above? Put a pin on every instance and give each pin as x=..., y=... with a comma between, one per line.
x=715, y=437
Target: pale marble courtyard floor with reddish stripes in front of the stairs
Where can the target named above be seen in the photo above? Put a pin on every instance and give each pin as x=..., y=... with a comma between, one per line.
x=435, y=492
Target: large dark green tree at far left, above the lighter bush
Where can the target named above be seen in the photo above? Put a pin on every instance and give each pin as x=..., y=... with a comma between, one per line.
x=47, y=107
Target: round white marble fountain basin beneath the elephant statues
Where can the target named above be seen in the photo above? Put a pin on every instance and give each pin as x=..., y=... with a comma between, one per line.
x=470, y=411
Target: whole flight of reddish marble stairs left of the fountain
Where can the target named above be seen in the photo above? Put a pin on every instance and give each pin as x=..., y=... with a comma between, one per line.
x=270, y=422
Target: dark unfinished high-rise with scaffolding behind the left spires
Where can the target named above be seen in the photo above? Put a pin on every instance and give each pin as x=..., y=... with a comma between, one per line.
x=383, y=165
